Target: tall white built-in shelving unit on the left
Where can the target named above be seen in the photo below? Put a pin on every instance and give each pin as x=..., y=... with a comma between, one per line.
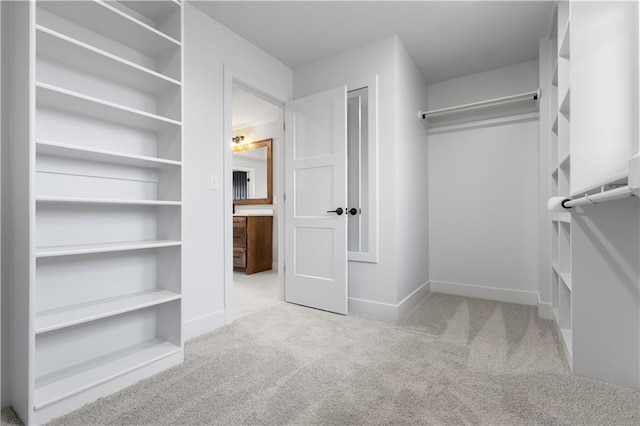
x=96, y=194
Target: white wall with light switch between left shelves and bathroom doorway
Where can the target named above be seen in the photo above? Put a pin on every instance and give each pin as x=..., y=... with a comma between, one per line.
x=210, y=49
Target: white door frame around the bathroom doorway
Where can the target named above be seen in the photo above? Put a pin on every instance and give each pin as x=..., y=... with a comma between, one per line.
x=229, y=77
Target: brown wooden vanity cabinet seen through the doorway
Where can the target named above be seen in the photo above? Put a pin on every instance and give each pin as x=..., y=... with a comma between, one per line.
x=252, y=243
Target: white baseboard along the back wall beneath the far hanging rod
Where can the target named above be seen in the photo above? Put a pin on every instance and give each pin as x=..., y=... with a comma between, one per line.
x=490, y=293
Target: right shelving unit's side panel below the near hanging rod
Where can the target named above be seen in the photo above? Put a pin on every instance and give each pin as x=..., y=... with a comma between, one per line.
x=606, y=291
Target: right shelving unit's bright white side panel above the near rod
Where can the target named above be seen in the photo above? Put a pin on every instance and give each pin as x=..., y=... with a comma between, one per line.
x=604, y=90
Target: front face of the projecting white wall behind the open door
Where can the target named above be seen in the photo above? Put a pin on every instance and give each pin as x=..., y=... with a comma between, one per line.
x=371, y=286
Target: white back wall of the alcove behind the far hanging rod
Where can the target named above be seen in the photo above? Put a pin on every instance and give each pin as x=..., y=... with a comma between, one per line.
x=483, y=194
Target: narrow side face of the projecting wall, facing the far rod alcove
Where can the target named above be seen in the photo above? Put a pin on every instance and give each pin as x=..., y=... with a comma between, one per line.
x=412, y=195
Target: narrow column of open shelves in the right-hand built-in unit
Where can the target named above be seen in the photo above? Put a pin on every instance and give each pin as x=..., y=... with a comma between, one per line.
x=561, y=286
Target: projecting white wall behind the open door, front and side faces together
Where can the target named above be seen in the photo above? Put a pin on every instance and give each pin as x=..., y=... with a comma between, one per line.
x=374, y=288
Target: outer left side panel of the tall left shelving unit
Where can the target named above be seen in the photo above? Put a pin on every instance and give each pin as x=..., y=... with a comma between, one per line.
x=18, y=239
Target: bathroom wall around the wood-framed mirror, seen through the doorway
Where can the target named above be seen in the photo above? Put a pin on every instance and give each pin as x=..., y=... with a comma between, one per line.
x=256, y=133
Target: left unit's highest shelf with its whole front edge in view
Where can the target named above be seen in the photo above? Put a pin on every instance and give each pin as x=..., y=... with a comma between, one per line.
x=82, y=56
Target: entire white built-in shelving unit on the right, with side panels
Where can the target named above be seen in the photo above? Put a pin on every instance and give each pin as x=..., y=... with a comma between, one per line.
x=595, y=250
